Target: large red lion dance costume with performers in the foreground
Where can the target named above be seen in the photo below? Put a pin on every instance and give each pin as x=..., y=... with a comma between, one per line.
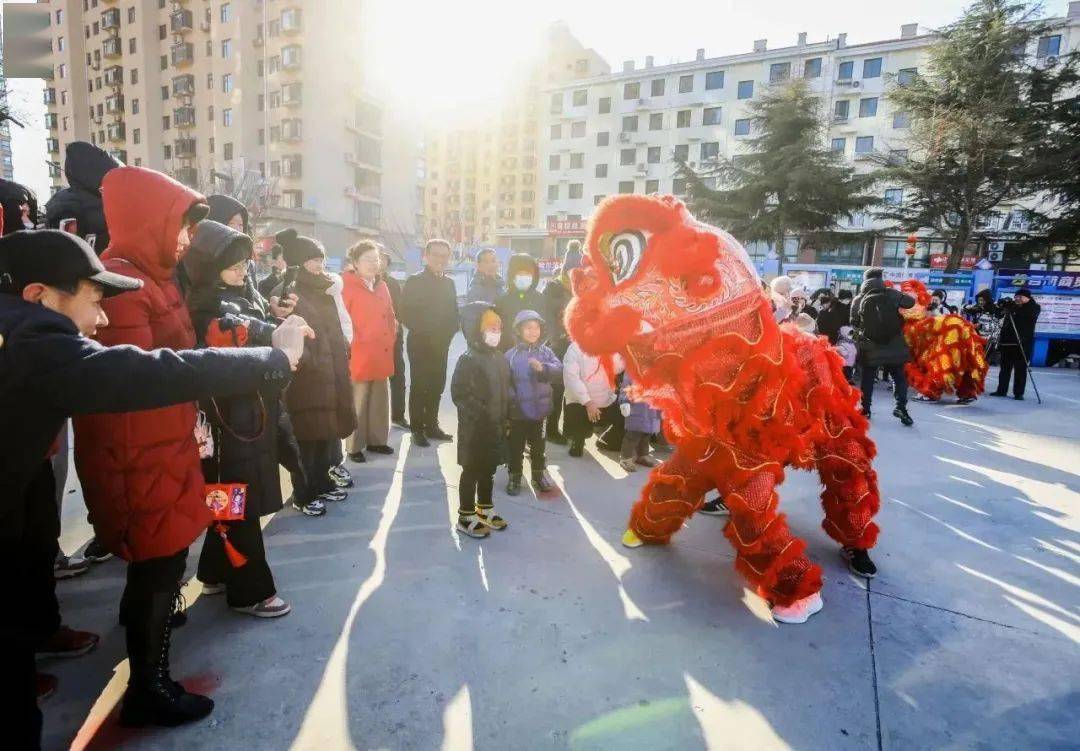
x=742, y=397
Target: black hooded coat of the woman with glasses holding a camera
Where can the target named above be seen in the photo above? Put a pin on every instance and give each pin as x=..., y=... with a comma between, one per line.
x=246, y=426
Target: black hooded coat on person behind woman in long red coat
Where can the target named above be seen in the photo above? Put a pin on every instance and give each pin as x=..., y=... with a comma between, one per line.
x=86, y=167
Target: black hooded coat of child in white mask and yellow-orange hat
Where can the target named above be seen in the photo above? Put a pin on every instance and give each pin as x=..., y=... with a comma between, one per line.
x=481, y=391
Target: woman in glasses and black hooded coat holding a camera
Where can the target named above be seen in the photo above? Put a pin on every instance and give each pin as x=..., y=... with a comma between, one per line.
x=227, y=310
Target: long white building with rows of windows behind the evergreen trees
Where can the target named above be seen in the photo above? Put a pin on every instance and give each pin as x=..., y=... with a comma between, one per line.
x=622, y=133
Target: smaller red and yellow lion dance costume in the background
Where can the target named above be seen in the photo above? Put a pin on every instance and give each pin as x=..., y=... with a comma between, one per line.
x=948, y=354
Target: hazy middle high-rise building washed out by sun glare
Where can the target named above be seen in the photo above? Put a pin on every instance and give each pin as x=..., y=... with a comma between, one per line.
x=482, y=180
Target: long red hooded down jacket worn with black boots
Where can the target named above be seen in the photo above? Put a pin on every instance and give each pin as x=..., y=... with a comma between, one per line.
x=140, y=472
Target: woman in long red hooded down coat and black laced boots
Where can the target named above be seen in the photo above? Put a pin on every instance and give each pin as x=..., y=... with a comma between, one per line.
x=141, y=473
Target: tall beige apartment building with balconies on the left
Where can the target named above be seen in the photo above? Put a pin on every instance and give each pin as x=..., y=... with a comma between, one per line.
x=260, y=99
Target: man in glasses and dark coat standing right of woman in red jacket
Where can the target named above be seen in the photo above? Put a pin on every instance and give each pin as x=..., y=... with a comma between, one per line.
x=430, y=313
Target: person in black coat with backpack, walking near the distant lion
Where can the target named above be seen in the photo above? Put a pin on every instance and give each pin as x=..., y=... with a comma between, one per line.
x=875, y=316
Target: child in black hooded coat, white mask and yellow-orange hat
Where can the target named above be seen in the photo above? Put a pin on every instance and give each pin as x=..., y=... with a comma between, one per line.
x=481, y=391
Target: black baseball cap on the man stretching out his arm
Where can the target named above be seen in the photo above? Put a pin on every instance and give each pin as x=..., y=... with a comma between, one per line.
x=57, y=259
